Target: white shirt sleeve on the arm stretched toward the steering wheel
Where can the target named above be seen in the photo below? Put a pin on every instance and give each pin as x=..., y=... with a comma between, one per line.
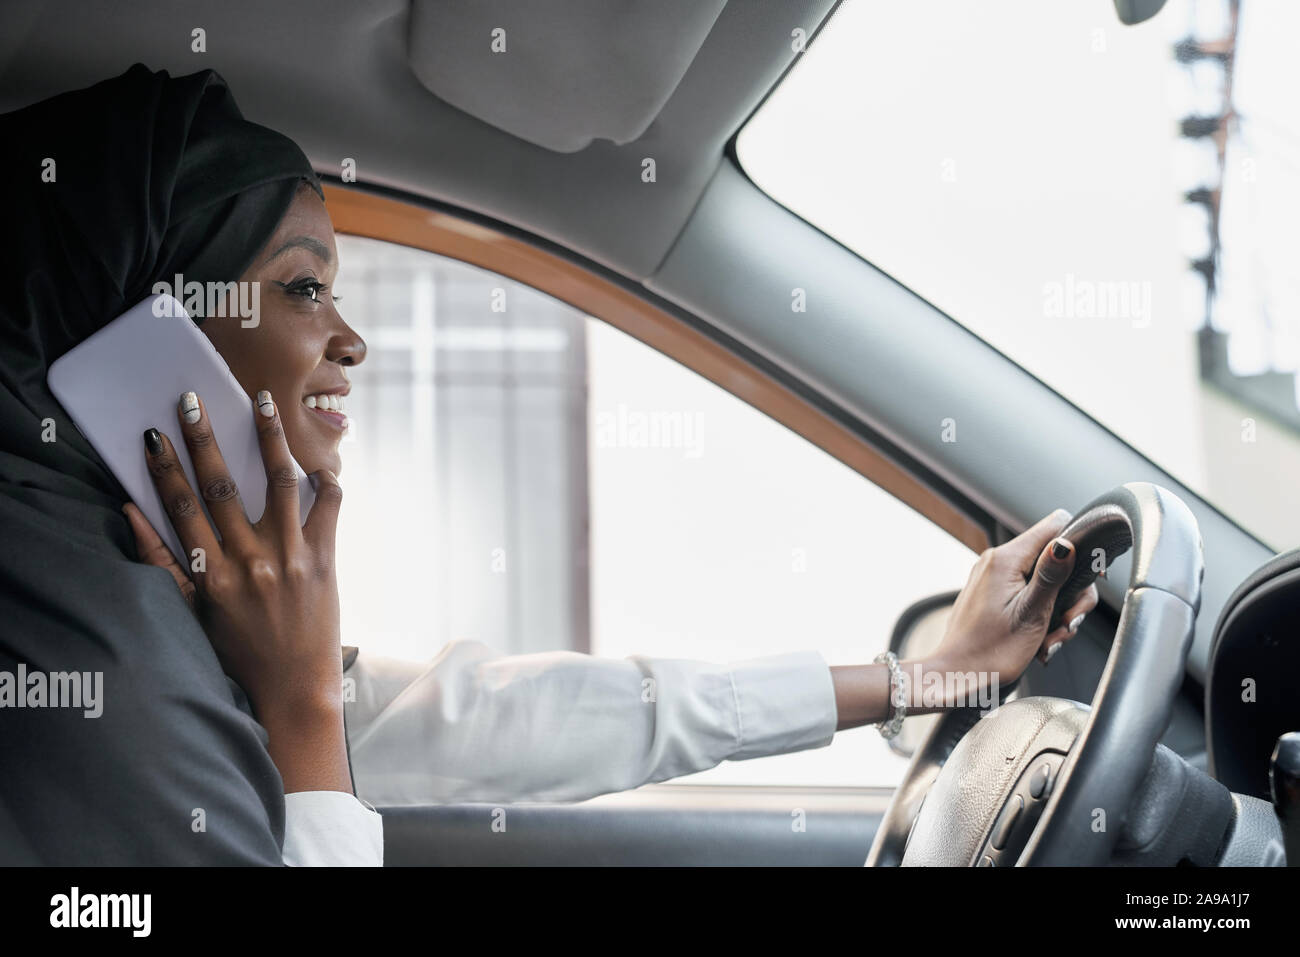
x=561, y=726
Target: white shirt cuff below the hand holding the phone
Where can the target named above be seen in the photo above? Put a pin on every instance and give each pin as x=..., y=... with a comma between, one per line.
x=331, y=829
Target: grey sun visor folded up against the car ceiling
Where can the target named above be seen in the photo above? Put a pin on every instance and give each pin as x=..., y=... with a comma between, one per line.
x=558, y=73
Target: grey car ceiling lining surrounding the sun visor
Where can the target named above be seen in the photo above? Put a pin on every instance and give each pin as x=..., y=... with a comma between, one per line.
x=337, y=77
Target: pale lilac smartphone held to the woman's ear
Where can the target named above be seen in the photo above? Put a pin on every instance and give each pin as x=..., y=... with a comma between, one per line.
x=129, y=376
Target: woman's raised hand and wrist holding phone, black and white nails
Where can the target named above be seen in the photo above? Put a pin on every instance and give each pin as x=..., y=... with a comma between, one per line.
x=266, y=592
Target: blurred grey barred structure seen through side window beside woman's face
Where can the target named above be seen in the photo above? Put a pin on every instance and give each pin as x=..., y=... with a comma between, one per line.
x=465, y=470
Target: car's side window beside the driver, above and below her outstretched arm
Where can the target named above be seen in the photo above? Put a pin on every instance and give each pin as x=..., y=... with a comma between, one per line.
x=534, y=479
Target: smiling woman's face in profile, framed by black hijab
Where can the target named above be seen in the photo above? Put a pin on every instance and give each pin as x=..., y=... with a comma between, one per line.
x=301, y=348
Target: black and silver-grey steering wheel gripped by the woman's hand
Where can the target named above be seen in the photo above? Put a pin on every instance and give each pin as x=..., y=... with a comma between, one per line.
x=1046, y=781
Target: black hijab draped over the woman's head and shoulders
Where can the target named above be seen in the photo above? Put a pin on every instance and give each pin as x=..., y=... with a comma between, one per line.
x=112, y=189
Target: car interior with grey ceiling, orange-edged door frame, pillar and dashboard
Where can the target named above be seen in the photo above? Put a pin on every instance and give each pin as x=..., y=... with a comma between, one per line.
x=601, y=170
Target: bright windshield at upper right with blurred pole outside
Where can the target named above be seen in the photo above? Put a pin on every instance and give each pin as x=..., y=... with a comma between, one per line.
x=1110, y=206
